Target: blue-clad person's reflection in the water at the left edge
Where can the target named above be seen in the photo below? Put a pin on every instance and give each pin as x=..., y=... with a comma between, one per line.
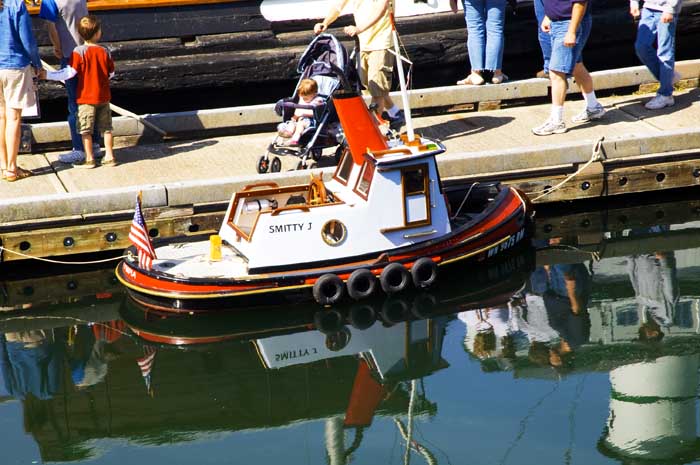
x=30, y=362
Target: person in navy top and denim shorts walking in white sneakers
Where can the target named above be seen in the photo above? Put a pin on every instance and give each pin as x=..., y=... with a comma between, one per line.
x=569, y=24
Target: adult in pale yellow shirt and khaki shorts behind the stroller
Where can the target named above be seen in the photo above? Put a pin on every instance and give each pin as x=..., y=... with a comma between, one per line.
x=374, y=29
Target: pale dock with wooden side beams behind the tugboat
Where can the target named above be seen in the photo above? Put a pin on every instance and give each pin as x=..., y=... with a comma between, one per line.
x=187, y=180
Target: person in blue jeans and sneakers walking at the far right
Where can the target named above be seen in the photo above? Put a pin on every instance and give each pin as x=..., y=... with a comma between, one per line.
x=658, y=24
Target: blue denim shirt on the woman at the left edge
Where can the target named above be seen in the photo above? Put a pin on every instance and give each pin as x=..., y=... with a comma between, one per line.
x=17, y=44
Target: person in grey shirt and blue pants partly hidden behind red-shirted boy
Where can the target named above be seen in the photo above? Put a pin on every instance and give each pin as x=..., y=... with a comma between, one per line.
x=63, y=17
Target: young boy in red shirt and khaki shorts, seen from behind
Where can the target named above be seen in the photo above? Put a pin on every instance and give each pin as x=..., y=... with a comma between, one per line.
x=93, y=65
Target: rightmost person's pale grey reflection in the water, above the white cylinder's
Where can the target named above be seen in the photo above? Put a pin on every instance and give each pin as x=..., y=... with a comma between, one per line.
x=653, y=277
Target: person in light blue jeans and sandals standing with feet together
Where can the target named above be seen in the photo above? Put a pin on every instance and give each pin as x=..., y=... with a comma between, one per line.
x=485, y=21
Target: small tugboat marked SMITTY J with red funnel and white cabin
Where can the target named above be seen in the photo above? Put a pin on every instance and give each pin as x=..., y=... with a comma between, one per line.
x=383, y=220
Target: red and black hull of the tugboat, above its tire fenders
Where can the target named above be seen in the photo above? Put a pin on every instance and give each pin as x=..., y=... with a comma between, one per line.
x=500, y=228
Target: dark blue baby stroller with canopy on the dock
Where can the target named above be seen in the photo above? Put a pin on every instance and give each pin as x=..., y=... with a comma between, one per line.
x=325, y=61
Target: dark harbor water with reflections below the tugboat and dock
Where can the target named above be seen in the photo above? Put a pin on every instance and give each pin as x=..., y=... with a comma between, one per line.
x=534, y=360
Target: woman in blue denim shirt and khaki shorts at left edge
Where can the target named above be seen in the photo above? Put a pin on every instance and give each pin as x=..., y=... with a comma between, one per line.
x=19, y=64
